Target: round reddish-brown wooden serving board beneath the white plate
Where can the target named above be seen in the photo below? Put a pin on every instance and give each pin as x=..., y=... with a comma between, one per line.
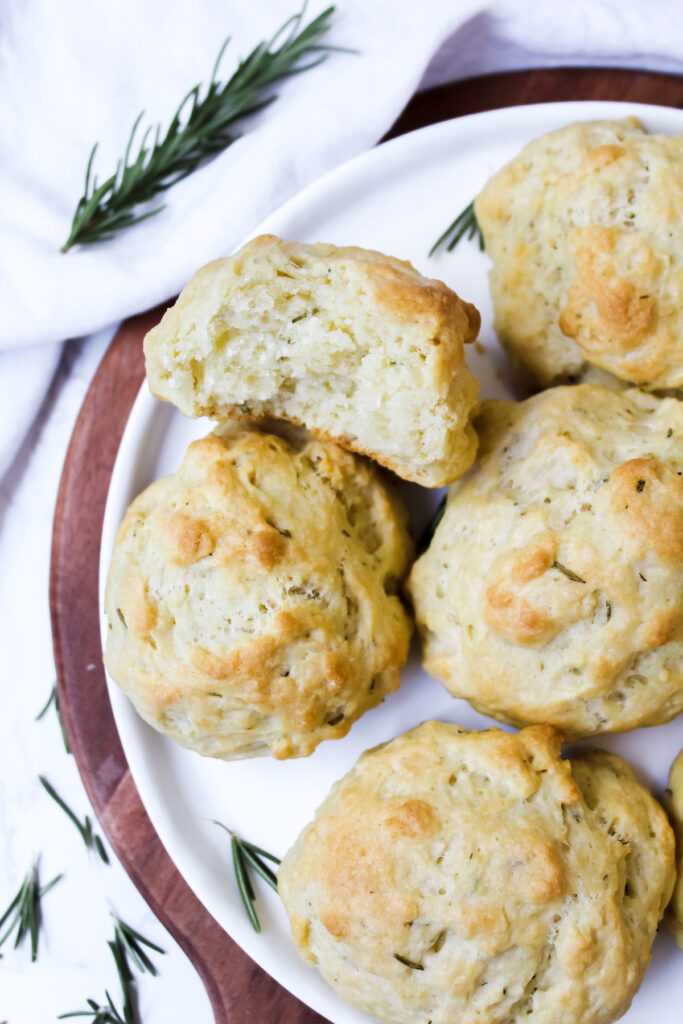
x=232, y=979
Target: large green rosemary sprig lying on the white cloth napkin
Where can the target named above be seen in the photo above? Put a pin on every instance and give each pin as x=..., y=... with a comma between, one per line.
x=201, y=129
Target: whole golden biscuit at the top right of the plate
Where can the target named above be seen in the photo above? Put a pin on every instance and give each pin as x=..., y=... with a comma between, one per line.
x=584, y=229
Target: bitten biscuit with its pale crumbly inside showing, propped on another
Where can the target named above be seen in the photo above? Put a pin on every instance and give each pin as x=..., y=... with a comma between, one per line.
x=356, y=346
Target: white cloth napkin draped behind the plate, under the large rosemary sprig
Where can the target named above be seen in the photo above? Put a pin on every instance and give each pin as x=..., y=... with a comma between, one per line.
x=76, y=72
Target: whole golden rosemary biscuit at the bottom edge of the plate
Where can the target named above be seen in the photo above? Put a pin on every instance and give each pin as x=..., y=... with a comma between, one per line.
x=478, y=878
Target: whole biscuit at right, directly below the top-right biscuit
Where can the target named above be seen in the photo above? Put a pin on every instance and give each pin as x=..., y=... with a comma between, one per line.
x=552, y=590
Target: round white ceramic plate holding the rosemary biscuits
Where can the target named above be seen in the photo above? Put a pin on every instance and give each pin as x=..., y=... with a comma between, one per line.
x=398, y=198
